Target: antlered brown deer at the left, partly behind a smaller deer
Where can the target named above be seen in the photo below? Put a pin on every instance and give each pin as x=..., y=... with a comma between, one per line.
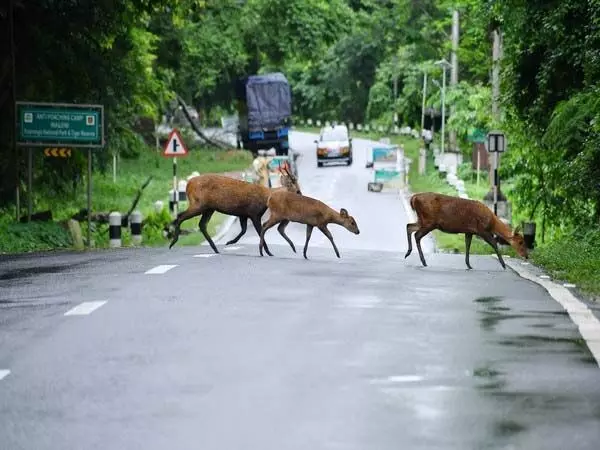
x=208, y=193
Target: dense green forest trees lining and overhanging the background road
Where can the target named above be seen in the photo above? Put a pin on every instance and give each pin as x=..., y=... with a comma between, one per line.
x=341, y=58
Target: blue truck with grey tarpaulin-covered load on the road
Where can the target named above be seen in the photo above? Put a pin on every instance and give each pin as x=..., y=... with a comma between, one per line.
x=264, y=105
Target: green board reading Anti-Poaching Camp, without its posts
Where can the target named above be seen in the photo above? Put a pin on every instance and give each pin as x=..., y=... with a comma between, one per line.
x=44, y=124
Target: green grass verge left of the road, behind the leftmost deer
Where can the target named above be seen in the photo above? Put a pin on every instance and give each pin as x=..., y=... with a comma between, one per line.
x=110, y=196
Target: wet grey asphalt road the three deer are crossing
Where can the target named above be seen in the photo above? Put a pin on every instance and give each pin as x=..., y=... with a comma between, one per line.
x=186, y=349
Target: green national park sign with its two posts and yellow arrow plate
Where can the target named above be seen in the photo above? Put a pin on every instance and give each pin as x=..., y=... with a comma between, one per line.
x=60, y=124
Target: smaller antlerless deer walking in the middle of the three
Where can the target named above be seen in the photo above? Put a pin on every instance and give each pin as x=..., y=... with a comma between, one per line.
x=286, y=207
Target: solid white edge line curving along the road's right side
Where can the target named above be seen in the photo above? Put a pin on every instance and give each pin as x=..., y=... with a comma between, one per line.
x=587, y=323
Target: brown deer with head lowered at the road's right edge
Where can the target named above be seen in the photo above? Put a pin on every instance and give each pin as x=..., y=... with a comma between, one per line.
x=457, y=215
